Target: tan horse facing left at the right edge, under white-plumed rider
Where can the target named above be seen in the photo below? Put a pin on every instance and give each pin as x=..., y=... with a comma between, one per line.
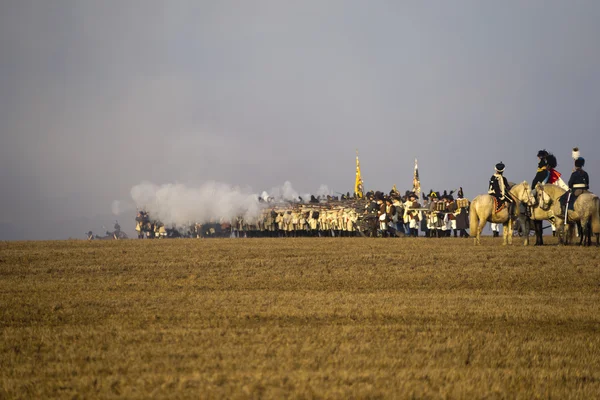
x=586, y=209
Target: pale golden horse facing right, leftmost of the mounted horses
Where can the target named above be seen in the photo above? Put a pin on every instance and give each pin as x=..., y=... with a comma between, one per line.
x=482, y=211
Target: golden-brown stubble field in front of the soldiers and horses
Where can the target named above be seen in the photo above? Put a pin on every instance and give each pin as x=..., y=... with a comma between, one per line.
x=298, y=318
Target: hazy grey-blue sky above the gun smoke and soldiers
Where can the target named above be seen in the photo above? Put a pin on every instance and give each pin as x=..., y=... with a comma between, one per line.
x=97, y=97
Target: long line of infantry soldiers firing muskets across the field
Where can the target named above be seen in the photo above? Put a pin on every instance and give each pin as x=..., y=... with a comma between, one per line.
x=375, y=214
